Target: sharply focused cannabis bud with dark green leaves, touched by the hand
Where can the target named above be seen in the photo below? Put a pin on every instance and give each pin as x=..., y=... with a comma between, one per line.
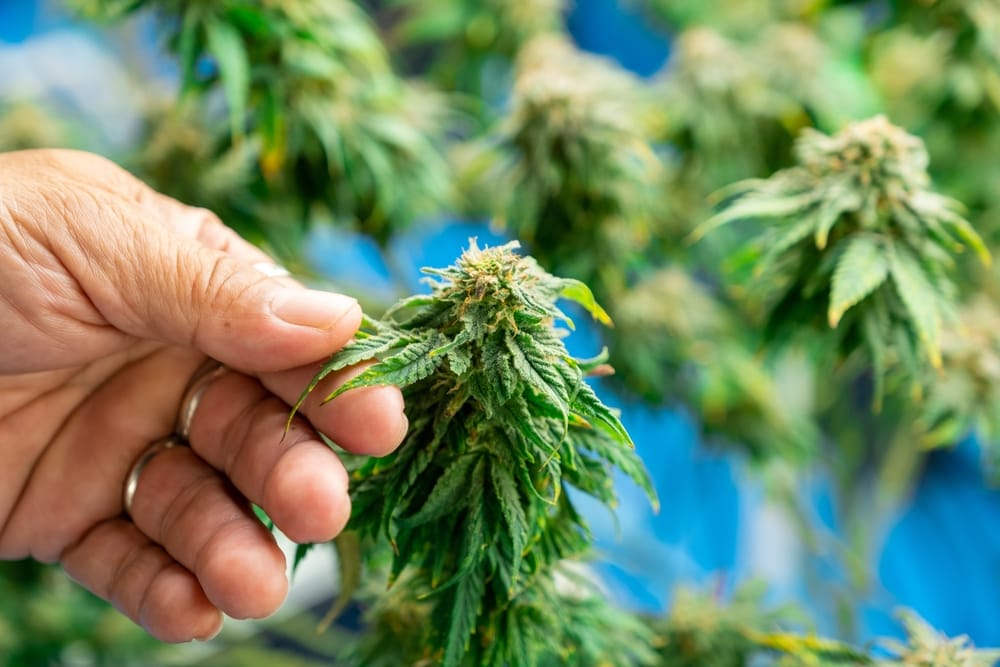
x=502, y=424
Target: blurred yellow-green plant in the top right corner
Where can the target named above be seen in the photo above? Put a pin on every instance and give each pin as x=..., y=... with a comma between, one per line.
x=935, y=64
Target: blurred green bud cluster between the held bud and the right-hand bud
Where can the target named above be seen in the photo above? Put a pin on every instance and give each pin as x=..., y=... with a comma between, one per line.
x=676, y=342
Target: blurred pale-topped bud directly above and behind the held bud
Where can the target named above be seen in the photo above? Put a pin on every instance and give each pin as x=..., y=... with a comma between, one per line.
x=571, y=169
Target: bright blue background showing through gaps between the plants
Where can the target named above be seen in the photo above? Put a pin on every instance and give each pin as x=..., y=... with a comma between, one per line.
x=940, y=553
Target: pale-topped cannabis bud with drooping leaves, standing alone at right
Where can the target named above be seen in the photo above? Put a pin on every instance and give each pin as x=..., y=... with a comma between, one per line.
x=855, y=225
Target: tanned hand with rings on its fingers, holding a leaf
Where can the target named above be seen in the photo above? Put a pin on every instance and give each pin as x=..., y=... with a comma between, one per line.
x=111, y=295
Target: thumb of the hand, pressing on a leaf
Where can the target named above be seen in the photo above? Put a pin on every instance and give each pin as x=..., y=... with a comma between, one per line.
x=150, y=281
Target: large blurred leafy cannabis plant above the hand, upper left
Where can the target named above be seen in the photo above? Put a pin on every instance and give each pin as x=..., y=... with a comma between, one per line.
x=311, y=95
